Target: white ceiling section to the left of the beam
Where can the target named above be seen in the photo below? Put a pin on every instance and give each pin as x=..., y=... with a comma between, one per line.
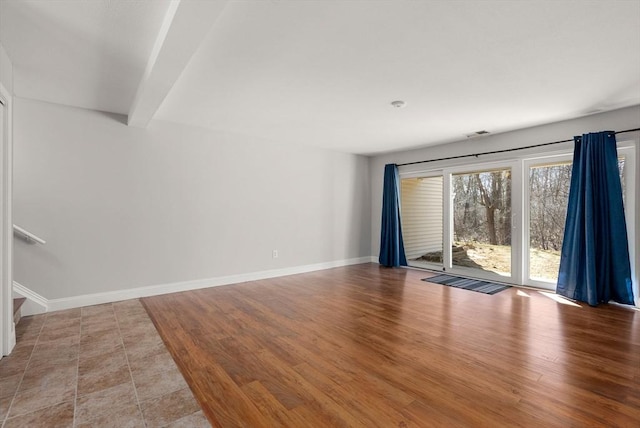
x=81, y=53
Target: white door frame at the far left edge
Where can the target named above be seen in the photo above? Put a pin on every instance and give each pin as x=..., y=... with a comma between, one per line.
x=7, y=328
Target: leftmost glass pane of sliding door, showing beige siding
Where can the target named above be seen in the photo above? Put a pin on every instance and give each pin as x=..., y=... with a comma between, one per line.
x=422, y=221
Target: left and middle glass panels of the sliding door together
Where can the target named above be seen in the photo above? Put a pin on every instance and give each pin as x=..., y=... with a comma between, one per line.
x=460, y=221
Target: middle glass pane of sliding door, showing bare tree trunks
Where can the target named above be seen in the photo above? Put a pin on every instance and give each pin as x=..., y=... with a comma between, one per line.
x=482, y=220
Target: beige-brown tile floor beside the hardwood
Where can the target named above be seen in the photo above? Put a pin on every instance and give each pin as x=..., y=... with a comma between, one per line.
x=96, y=366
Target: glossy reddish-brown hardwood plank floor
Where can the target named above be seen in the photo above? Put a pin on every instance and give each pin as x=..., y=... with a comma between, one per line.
x=370, y=346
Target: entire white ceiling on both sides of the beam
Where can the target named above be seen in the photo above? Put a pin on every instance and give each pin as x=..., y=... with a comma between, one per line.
x=323, y=73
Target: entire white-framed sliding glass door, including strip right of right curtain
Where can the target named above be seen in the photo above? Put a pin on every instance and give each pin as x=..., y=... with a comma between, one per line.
x=498, y=221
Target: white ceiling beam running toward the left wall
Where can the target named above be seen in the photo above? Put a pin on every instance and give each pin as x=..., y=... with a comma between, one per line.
x=185, y=25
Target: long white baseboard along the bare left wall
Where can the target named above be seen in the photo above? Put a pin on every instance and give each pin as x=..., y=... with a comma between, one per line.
x=155, y=290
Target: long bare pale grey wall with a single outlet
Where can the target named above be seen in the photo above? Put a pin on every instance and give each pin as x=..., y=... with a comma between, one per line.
x=125, y=207
